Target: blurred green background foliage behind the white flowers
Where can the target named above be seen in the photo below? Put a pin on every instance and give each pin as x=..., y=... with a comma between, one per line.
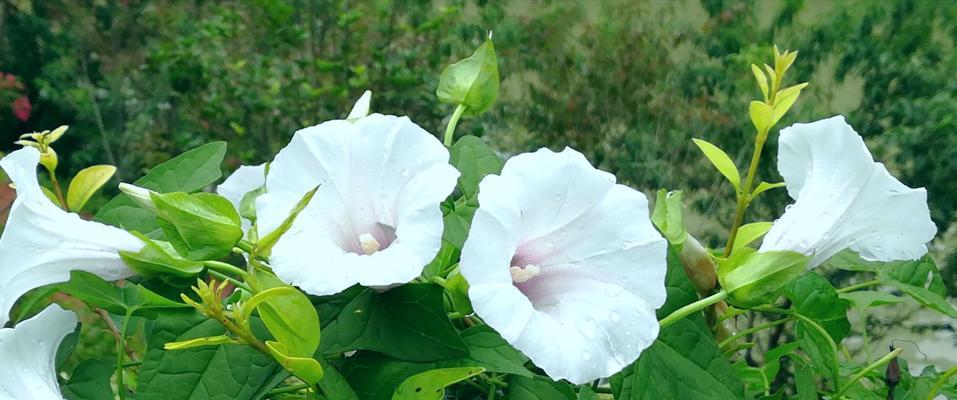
x=627, y=82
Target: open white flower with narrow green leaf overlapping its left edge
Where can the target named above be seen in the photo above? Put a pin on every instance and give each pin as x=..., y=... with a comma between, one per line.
x=375, y=219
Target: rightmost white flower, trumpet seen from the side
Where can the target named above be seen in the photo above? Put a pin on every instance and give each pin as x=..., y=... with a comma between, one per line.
x=843, y=199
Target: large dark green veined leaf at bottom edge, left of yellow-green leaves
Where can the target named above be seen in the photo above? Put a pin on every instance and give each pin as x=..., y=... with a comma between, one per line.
x=220, y=372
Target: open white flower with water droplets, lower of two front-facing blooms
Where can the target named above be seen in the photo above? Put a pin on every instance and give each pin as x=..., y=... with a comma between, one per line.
x=566, y=265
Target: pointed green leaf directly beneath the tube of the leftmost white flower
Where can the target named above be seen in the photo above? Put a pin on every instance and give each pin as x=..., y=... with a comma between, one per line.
x=131, y=299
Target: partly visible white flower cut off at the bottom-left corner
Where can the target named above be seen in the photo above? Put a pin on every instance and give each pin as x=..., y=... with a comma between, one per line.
x=28, y=355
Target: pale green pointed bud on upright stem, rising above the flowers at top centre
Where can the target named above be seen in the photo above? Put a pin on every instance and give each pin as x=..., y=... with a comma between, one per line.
x=472, y=82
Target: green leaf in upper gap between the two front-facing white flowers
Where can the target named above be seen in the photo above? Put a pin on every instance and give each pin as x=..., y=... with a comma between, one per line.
x=474, y=159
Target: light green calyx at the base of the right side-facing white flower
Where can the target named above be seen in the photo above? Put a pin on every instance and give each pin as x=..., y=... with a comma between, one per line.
x=750, y=277
